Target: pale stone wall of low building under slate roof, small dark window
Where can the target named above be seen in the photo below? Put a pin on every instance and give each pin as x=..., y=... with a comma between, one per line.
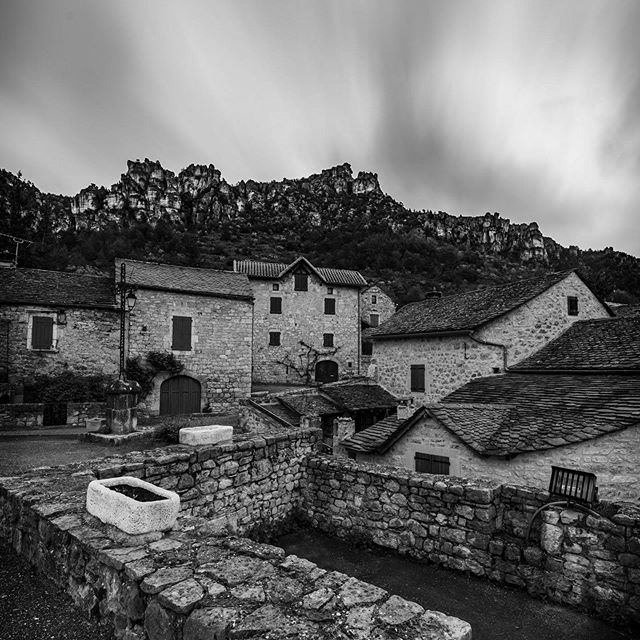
x=612, y=457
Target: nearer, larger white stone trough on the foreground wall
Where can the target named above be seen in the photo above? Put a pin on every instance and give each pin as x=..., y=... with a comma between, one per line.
x=129, y=514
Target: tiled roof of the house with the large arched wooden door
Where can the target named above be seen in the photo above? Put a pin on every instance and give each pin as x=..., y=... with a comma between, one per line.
x=168, y=277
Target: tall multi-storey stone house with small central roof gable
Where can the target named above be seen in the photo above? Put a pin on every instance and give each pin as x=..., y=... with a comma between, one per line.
x=306, y=321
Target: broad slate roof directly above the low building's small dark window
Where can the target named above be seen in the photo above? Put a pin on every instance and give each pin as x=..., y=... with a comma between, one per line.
x=515, y=413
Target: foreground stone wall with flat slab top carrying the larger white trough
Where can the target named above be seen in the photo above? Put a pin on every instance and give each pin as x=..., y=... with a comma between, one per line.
x=197, y=581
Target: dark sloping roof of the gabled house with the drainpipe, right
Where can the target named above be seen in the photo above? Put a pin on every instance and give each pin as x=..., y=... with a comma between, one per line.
x=465, y=311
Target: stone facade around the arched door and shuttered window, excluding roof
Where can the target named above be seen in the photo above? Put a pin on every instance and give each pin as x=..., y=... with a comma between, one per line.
x=220, y=355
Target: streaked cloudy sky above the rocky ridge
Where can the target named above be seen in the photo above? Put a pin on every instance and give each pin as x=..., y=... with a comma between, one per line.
x=528, y=108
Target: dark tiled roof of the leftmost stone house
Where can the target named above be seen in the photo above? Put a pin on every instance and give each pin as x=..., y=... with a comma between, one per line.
x=56, y=289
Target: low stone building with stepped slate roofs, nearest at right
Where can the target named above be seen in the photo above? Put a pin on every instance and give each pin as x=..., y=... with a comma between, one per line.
x=575, y=403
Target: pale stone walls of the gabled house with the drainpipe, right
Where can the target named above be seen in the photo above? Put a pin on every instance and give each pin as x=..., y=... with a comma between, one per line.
x=451, y=362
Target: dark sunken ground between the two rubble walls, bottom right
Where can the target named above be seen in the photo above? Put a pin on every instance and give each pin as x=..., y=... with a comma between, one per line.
x=494, y=612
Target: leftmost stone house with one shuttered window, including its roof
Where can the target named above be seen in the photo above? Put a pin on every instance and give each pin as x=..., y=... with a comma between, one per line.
x=53, y=321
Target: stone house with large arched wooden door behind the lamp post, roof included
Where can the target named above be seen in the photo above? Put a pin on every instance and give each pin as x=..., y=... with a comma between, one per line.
x=201, y=316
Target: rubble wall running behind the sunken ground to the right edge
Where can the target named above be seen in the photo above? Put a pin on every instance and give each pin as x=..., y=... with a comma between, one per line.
x=480, y=527
